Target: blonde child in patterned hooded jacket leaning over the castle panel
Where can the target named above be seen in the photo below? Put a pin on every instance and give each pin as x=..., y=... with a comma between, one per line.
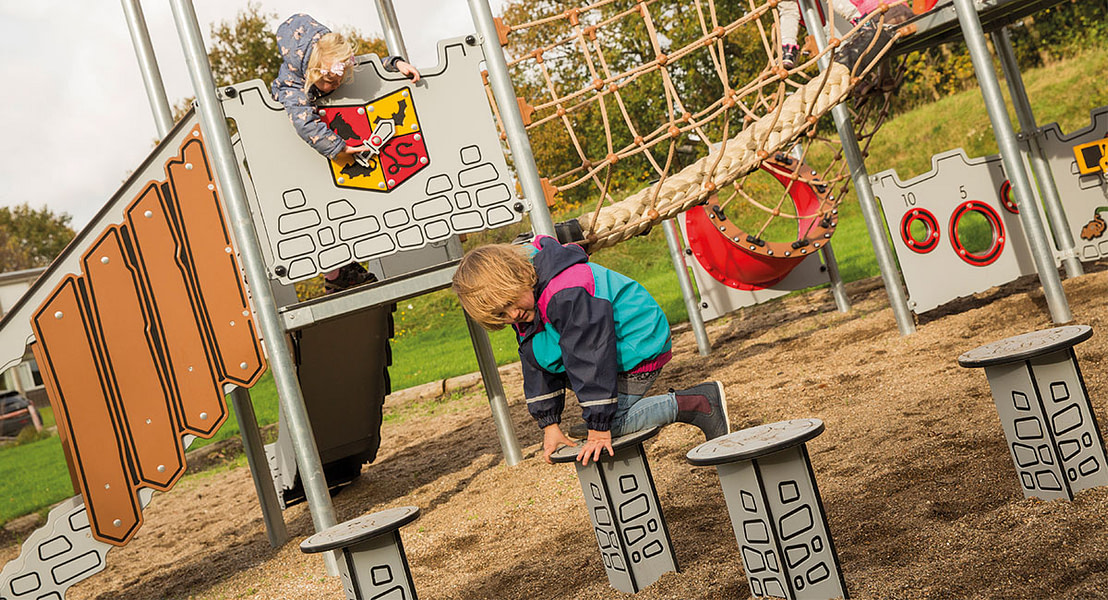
x=315, y=61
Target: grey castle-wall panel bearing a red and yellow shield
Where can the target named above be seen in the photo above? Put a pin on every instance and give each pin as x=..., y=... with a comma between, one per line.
x=443, y=172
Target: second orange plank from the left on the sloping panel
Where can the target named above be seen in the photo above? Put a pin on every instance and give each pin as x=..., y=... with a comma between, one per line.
x=145, y=397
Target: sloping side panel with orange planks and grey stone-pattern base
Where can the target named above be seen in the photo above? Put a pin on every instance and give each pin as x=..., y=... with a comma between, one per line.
x=138, y=346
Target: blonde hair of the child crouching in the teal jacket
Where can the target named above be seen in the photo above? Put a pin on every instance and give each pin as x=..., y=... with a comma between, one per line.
x=493, y=278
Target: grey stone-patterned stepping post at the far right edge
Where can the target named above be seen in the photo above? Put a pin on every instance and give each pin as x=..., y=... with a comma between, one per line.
x=1045, y=411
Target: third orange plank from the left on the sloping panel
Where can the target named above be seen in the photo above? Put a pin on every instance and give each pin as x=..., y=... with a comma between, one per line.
x=202, y=408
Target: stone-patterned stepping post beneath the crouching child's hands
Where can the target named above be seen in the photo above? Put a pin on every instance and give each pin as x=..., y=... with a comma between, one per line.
x=623, y=505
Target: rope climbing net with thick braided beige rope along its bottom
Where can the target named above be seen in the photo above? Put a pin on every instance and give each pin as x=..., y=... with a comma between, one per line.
x=681, y=100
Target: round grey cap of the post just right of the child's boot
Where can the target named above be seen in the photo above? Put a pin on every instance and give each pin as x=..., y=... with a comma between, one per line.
x=755, y=442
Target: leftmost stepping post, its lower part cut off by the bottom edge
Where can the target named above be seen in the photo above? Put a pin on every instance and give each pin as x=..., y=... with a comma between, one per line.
x=374, y=564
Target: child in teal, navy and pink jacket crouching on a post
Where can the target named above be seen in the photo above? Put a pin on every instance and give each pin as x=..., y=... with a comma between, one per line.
x=584, y=327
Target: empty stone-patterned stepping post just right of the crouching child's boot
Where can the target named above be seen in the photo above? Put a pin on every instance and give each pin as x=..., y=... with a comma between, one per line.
x=776, y=510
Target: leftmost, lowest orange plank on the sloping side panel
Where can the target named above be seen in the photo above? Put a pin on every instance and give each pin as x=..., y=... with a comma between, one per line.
x=68, y=348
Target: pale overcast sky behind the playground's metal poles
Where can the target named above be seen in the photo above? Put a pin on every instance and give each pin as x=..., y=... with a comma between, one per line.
x=76, y=117
